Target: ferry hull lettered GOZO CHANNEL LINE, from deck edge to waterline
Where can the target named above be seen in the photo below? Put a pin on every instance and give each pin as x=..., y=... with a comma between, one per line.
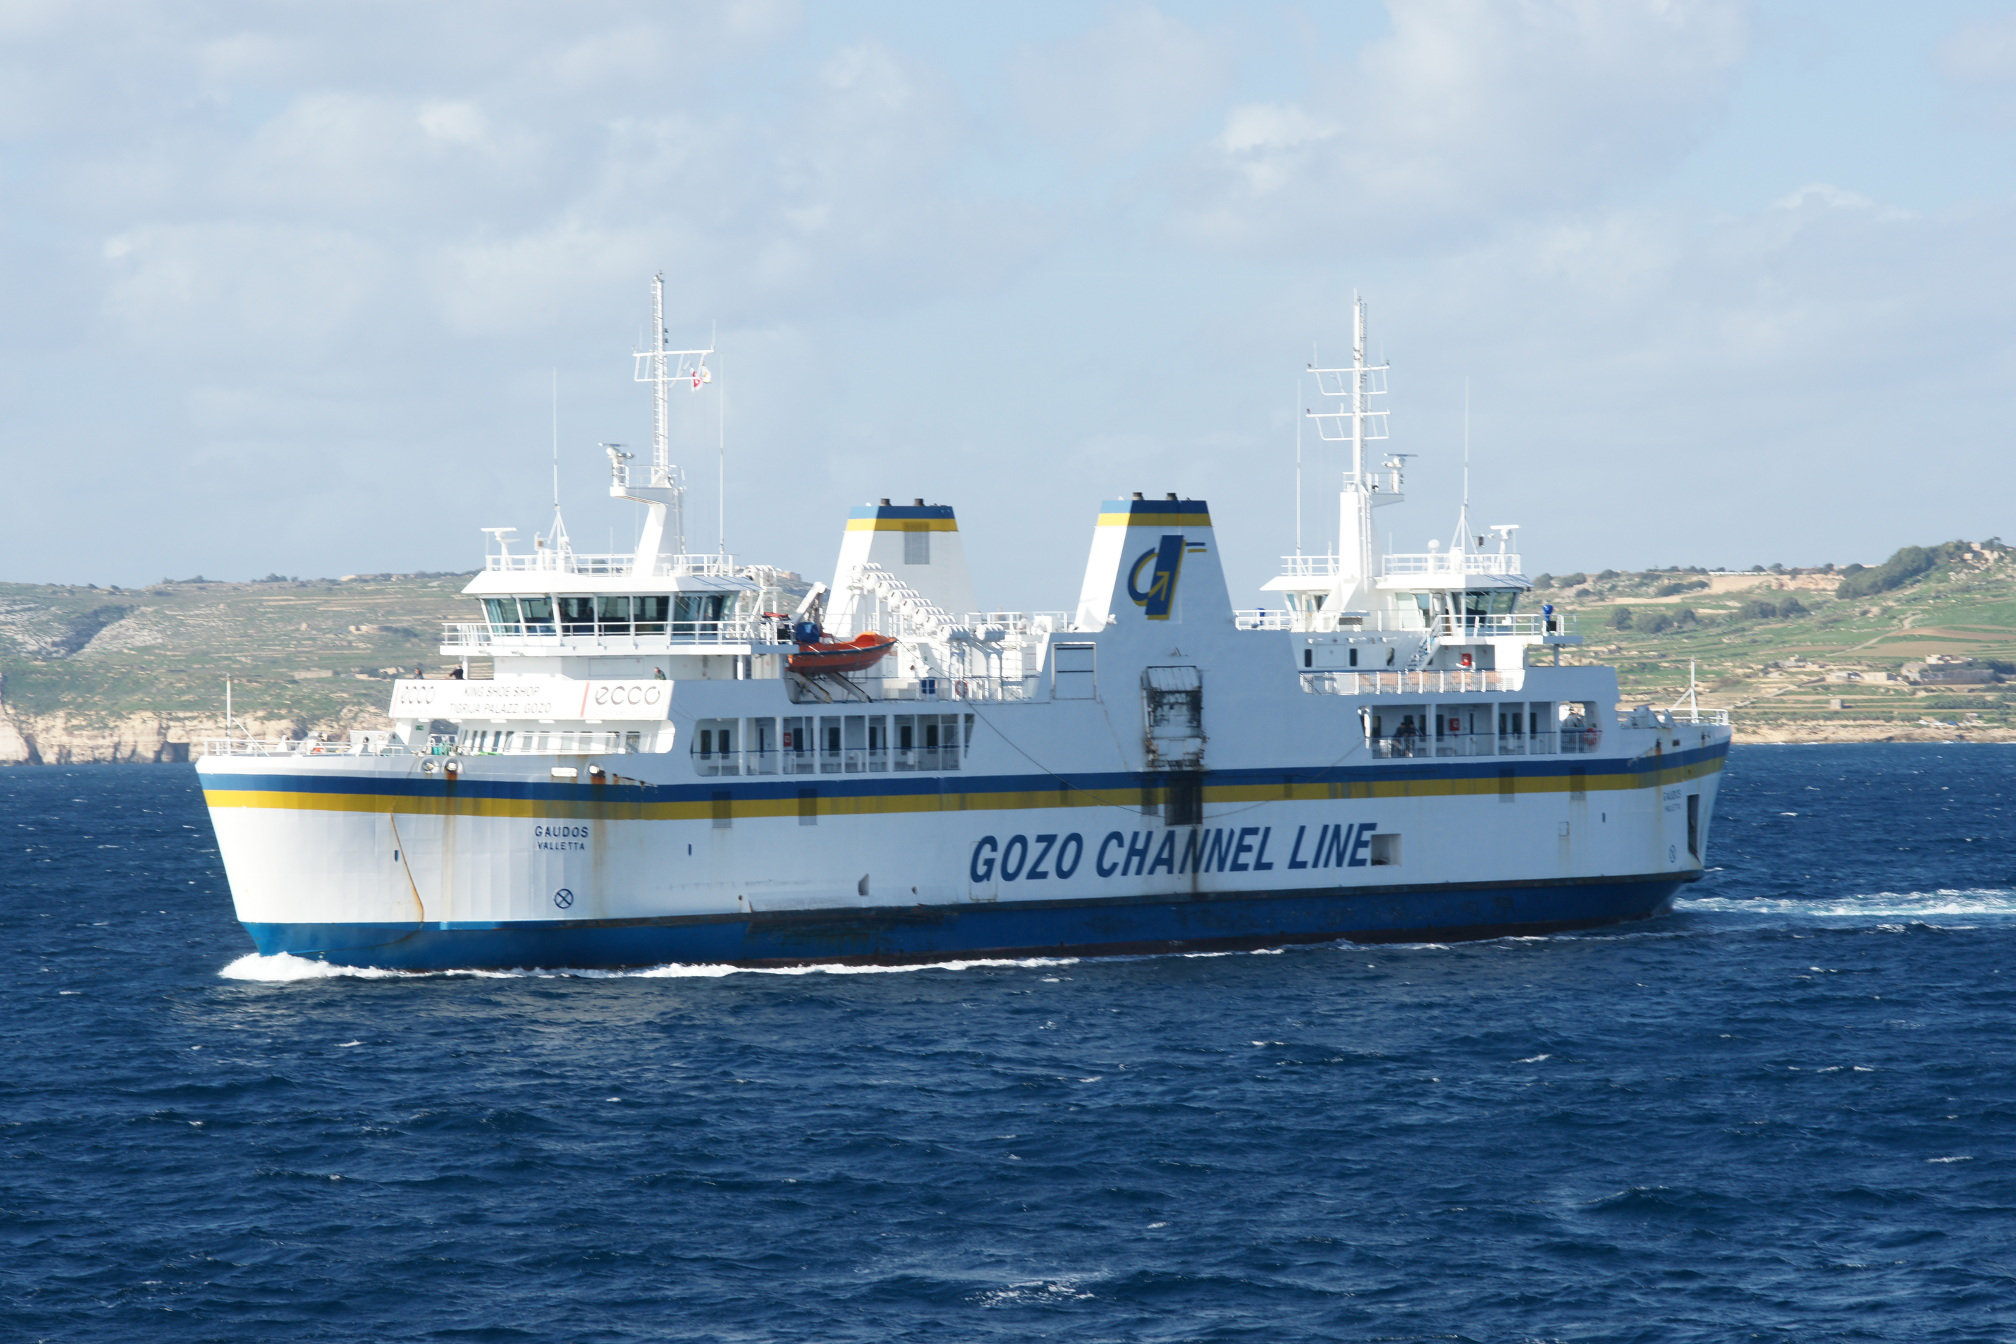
x=507, y=867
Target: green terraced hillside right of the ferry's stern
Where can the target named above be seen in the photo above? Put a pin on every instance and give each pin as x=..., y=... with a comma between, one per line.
x=1813, y=654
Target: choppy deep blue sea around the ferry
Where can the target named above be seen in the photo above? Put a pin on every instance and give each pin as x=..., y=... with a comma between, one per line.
x=1783, y=1113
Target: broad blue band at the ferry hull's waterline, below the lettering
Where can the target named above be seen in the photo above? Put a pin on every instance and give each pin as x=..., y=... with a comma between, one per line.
x=995, y=930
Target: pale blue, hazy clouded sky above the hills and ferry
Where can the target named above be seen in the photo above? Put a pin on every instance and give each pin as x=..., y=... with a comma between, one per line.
x=316, y=289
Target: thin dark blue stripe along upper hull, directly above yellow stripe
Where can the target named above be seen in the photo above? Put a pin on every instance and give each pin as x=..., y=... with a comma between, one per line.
x=221, y=777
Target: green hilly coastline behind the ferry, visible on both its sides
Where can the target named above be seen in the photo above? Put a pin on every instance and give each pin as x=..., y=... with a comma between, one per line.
x=112, y=674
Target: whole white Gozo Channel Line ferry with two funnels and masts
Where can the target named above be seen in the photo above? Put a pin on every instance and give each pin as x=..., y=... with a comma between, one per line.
x=682, y=759
